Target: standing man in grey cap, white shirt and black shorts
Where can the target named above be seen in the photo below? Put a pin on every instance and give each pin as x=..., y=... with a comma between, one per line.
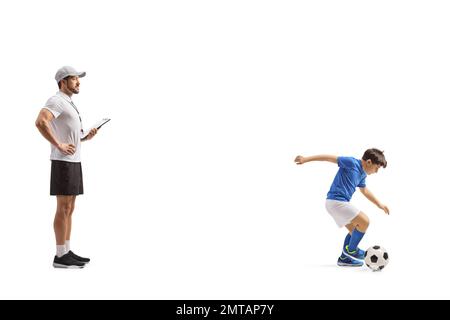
x=60, y=123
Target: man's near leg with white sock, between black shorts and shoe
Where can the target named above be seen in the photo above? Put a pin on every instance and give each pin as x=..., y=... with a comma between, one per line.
x=63, y=210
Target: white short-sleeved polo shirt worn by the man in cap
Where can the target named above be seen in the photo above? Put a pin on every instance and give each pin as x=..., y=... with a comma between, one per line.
x=66, y=126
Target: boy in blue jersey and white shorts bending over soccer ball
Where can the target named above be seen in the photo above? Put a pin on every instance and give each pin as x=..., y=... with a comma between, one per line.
x=352, y=173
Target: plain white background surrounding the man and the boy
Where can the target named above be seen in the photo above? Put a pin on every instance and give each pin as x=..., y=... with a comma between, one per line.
x=191, y=191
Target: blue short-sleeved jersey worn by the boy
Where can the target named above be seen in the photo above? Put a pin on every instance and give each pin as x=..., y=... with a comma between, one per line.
x=349, y=176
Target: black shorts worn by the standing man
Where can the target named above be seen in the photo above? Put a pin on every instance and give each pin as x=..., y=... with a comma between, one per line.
x=66, y=178
